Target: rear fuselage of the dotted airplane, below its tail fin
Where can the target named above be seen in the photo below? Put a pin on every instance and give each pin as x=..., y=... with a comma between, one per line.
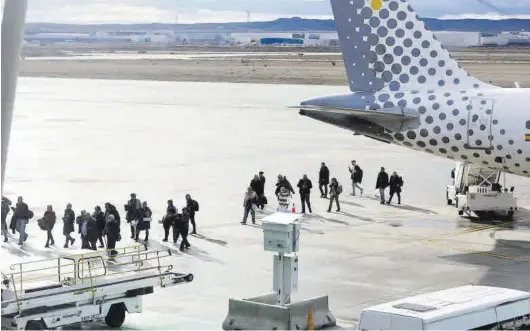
x=486, y=127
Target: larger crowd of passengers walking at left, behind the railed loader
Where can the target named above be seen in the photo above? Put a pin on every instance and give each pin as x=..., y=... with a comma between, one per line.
x=103, y=226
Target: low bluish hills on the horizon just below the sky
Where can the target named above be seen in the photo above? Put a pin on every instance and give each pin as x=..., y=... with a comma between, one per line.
x=281, y=25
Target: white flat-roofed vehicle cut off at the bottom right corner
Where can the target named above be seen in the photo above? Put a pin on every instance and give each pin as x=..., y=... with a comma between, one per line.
x=461, y=308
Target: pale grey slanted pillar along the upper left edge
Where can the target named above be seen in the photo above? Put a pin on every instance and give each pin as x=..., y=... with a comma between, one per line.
x=12, y=35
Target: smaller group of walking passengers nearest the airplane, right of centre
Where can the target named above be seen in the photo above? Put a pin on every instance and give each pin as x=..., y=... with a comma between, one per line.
x=254, y=195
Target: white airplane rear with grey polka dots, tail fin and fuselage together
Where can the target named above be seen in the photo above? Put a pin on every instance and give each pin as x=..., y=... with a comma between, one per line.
x=407, y=90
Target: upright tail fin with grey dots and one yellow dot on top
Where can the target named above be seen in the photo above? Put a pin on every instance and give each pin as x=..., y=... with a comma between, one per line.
x=385, y=45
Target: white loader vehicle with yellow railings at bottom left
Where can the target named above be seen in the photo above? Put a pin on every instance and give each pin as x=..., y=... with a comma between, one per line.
x=67, y=290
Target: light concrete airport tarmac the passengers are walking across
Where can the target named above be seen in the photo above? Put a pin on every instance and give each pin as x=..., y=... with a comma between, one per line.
x=90, y=141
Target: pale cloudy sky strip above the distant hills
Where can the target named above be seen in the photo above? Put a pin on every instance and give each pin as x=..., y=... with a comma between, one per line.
x=201, y=11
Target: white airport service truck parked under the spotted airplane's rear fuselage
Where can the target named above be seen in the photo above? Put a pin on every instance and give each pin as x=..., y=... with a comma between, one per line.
x=478, y=190
